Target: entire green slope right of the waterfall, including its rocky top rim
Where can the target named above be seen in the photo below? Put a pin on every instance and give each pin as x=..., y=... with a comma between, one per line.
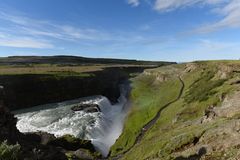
x=180, y=125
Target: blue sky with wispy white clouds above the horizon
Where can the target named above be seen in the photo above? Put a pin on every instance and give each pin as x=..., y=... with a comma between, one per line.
x=171, y=30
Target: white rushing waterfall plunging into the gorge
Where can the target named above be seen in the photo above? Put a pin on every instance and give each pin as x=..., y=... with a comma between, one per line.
x=102, y=128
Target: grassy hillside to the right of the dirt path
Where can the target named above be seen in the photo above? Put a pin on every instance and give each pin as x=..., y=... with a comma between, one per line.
x=180, y=123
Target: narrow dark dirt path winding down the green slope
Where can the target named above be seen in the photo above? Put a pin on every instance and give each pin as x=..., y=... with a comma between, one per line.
x=147, y=126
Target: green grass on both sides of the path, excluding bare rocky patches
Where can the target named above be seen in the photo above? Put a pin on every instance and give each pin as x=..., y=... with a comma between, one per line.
x=178, y=124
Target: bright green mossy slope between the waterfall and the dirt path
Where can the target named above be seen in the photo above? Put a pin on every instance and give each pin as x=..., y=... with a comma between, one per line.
x=146, y=97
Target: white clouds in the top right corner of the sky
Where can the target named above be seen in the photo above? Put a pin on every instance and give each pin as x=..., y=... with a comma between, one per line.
x=227, y=9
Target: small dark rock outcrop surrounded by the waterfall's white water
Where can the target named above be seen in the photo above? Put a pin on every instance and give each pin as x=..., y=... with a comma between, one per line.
x=87, y=108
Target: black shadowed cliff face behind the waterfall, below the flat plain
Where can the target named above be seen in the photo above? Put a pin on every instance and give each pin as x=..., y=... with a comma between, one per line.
x=24, y=91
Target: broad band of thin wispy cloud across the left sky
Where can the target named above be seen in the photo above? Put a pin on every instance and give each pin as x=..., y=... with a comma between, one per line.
x=47, y=34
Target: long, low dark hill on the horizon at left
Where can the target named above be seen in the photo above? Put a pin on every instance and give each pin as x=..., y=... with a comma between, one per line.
x=74, y=60
